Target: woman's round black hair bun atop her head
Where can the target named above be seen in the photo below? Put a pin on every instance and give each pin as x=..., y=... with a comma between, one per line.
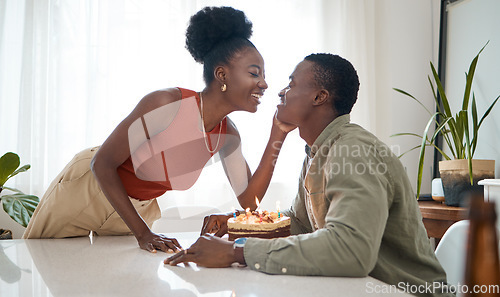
x=211, y=25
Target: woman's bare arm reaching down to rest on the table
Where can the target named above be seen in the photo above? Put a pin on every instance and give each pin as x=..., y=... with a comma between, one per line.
x=114, y=151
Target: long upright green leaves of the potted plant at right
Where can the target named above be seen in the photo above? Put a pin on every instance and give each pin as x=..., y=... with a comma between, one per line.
x=459, y=131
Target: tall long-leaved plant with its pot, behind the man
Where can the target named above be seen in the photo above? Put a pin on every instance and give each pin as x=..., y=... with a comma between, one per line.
x=459, y=171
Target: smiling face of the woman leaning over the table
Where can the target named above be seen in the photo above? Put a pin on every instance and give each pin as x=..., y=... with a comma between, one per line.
x=245, y=80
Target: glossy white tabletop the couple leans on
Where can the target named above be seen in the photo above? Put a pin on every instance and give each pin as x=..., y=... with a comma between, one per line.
x=116, y=266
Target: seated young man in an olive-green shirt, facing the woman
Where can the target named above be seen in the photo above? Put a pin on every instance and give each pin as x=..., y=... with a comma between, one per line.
x=355, y=213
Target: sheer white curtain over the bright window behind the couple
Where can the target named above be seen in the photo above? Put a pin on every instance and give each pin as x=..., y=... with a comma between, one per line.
x=70, y=71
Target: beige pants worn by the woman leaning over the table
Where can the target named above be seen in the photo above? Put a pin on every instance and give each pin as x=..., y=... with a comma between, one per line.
x=74, y=205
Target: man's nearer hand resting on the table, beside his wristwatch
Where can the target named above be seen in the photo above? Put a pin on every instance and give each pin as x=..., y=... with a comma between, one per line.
x=208, y=251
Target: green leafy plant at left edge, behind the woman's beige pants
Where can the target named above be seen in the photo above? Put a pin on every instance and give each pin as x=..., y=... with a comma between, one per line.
x=18, y=206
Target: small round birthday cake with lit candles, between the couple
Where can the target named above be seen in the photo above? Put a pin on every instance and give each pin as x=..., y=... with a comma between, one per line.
x=263, y=225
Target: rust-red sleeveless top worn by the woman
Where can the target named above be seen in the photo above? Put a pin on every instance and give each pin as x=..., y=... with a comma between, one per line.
x=173, y=158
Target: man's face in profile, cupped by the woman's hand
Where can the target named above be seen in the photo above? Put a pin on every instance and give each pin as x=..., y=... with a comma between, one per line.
x=296, y=99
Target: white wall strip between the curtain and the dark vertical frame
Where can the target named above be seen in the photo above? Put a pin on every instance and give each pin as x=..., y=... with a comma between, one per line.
x=407, y=39
